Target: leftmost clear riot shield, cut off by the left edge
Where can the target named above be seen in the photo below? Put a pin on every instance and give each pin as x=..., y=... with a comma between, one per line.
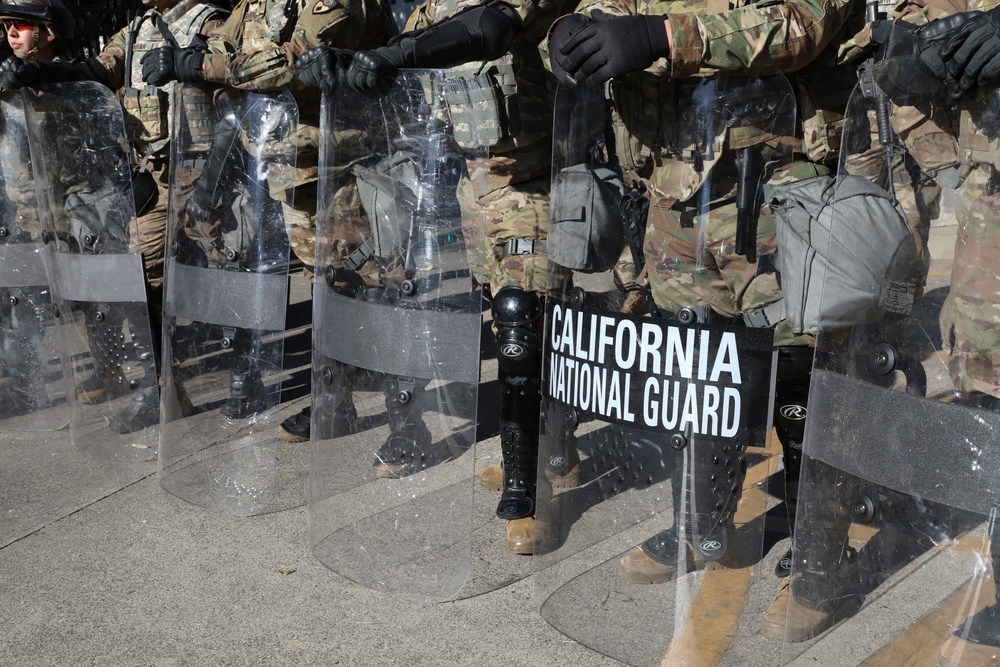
x=32, y=391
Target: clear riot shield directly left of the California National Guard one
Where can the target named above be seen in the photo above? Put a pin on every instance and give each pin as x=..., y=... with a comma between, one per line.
x=396, y=333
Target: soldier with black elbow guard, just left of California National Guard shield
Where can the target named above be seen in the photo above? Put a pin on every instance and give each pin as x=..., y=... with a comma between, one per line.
x=499, y=40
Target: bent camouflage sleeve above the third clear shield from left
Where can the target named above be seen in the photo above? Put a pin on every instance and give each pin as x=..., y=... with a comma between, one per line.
x=273, y=66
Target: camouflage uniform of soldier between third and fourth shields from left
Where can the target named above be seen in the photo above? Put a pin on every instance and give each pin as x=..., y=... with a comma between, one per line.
x=256, y=50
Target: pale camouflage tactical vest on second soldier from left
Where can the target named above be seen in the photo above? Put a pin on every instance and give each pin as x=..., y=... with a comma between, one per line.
x=147, y=108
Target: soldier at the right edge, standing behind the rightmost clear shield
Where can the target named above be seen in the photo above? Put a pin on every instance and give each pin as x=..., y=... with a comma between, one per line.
x=944, y=84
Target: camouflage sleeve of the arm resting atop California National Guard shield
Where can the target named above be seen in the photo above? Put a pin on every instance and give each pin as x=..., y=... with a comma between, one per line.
x=787, y=36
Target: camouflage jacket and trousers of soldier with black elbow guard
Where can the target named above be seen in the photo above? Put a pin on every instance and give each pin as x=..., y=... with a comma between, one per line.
x=517, y=193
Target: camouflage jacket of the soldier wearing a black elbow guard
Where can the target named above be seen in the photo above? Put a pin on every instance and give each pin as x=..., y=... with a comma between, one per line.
x=522, y=151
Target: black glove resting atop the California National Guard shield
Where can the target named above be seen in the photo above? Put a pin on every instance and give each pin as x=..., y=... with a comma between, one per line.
x=611, y=45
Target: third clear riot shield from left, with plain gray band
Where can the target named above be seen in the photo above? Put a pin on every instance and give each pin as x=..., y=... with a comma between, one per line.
x=233, y=170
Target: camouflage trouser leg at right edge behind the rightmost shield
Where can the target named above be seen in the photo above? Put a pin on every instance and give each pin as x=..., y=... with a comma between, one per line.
x=969, y=319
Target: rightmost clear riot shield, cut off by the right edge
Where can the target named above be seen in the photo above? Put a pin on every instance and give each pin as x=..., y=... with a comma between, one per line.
x=894, y=562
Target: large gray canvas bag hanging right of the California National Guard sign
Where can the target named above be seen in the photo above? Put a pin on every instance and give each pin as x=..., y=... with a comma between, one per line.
x=846, y=242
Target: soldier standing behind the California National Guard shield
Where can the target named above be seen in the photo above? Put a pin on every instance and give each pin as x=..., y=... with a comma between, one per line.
x=649, y=54
